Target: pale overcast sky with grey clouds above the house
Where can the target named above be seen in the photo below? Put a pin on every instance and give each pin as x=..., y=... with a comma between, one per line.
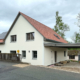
x=42, y=11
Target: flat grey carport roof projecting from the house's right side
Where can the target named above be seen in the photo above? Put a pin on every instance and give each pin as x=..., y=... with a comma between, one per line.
x=63, y=45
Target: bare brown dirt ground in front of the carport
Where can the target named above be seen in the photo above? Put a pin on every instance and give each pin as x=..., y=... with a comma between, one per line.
x=71, y=67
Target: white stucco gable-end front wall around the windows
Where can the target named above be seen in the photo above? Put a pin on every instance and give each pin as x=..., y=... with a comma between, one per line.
x=21, y=27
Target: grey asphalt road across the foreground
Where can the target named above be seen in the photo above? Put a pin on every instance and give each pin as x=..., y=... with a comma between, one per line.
x=9, y=72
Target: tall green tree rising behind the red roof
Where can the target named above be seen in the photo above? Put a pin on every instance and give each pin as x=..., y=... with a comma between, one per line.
x=60, y=27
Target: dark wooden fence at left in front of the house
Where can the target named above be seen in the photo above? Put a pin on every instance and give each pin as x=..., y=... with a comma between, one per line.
x=10, y=57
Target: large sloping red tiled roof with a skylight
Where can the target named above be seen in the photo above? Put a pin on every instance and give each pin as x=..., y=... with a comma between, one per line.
x=47, y=32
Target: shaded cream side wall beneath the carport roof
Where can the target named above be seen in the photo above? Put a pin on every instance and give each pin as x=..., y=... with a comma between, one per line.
x=49, y=55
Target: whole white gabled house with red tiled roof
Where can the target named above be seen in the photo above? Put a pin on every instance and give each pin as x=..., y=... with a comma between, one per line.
x=37, y=43
